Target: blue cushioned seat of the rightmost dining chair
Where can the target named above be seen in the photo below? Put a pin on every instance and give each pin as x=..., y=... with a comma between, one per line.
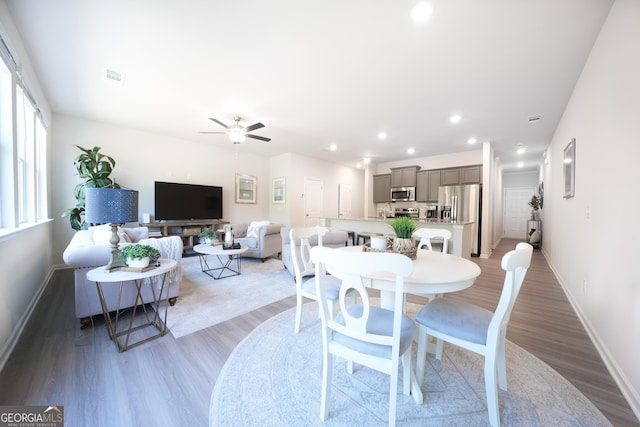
x=457, y=319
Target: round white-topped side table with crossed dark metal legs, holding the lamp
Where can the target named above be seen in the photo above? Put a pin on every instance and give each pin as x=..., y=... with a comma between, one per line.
x=101, y=276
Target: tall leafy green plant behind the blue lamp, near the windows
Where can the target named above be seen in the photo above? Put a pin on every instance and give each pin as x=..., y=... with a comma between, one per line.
x=95, y=168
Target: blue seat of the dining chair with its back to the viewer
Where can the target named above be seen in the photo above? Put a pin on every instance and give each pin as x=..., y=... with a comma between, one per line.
x=380, y=323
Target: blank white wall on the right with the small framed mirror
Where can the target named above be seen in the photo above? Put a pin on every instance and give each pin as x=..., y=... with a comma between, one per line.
x=592, y=240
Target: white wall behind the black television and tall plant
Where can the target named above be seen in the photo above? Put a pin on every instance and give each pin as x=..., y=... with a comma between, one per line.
x=142, y=158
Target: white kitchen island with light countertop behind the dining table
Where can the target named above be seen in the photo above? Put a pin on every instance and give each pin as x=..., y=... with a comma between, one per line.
x=461, y=232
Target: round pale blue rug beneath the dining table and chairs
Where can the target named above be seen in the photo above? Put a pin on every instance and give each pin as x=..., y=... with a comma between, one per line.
x=272, y=378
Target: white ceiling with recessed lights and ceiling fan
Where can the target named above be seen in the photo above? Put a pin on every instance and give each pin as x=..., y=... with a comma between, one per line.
x=318, y=72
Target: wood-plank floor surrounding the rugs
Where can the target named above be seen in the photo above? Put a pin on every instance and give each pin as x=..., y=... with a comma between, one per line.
x=168, y=382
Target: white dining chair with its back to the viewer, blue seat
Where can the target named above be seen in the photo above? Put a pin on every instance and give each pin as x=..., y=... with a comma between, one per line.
x=361, y=333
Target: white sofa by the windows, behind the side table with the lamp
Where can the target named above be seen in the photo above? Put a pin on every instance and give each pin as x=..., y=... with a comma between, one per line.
x=89, y=249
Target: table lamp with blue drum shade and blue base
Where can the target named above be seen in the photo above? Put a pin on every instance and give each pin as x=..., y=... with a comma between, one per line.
x=113, y=206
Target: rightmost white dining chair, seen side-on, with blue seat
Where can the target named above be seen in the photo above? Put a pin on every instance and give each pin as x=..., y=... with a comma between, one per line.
x=475, y=328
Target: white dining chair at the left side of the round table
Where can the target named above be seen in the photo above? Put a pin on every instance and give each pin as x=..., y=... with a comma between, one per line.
x=304, y=267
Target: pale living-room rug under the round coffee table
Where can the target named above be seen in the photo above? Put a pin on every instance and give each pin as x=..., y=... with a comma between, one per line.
x=204, y=301
